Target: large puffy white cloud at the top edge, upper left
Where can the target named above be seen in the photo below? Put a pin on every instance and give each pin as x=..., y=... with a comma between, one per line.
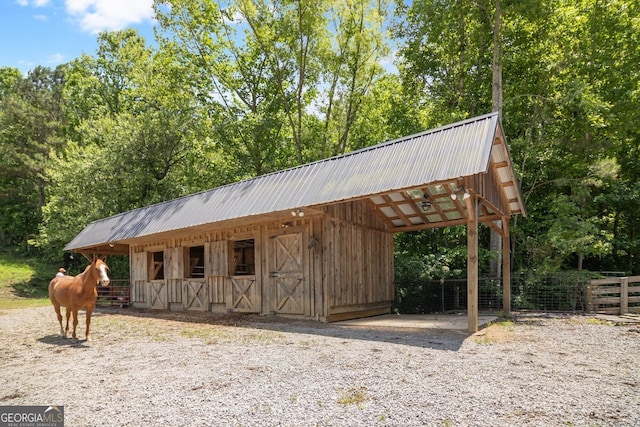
x=94, y=16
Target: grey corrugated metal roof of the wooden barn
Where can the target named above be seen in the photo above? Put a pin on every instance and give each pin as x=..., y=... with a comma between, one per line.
x=446, y=153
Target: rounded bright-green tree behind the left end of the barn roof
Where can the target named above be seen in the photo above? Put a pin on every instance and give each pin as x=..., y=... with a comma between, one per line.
x=151, y=144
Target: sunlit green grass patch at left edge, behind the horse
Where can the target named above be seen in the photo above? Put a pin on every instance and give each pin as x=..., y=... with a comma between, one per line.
x=24, y=280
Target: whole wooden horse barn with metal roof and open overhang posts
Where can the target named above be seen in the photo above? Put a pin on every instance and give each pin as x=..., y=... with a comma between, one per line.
x=316, y=241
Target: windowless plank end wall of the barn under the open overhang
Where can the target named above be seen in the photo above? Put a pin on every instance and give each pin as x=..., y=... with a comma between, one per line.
x=358, y=270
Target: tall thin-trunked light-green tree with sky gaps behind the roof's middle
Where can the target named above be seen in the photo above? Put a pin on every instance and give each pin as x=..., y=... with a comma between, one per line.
x=268, y=65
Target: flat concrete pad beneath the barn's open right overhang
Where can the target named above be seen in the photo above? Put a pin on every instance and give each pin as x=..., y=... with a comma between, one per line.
x=419, y=321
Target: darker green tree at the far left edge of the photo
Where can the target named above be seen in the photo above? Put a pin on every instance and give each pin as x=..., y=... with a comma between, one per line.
x=31, y=132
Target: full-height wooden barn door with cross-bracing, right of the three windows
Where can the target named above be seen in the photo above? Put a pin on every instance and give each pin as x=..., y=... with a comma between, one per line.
x=286, y=274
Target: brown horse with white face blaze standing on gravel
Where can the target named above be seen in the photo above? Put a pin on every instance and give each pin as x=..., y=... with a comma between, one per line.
x=77, y=293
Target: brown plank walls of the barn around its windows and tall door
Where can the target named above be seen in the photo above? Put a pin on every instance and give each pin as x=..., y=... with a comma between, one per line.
x=347, y=255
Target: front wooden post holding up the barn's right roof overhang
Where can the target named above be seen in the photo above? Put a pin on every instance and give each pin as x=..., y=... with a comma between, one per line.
x=472, y=262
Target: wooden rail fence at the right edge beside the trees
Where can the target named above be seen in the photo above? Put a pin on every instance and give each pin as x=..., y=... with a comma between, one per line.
x=614, y=295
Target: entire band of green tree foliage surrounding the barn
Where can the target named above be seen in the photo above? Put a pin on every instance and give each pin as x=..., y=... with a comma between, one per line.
x=238, y=89
